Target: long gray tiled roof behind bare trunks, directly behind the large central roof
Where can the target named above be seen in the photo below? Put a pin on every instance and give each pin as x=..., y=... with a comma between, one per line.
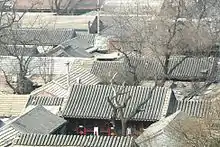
x=148, y=68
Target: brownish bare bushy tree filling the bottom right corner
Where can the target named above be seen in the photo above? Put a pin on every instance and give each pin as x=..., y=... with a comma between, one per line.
x=198, y=132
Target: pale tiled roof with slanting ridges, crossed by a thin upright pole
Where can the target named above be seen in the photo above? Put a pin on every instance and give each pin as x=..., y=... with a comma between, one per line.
x=59, y=87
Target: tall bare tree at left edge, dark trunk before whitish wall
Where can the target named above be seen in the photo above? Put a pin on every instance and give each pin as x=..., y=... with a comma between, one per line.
x=18, y=51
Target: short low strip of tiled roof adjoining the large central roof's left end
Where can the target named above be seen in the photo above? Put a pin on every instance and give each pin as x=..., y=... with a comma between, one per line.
x=46, y=101
